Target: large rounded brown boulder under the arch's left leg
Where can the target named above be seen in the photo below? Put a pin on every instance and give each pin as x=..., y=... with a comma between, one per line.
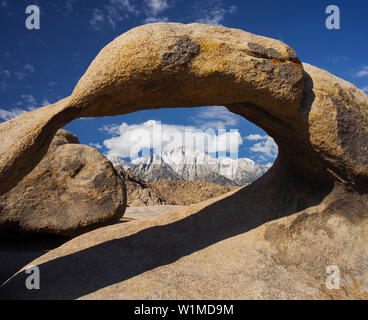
x=74, y=189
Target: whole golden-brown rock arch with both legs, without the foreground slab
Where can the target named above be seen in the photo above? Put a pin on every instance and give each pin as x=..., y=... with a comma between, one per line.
x=318, y=120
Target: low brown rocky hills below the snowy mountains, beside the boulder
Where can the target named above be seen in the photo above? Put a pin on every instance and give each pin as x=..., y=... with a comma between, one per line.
x=172, y=192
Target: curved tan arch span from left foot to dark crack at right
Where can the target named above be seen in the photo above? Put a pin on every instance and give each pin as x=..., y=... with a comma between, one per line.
x=161, y=65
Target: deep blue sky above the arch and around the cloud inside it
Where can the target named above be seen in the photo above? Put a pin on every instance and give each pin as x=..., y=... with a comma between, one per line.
x=38, y=67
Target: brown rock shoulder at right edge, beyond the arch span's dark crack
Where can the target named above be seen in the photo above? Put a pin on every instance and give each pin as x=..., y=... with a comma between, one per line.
x=338, y=126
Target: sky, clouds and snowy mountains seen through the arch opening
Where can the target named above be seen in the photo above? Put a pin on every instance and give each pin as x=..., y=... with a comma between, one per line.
x=191, y=144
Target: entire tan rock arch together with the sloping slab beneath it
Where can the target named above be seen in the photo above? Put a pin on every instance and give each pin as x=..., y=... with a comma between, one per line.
x=316, y=192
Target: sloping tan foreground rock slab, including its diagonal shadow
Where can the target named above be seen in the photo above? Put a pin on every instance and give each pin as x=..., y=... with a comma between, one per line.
x=207, y=251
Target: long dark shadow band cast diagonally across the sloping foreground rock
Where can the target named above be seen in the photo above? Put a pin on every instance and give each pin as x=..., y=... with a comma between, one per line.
x=78, y=274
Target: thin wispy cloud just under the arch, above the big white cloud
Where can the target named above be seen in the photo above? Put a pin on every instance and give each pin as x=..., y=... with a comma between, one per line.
x=217, y=117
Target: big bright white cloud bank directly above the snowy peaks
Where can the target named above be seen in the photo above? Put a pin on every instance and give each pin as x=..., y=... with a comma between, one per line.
x=131, y=139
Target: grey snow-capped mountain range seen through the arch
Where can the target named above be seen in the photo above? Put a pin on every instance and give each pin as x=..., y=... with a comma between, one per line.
x=192, y=165
